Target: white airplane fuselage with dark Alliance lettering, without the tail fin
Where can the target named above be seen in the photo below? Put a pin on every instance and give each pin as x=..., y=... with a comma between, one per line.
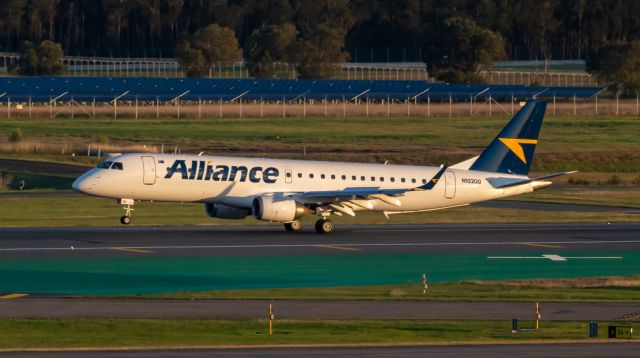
x=203, y=179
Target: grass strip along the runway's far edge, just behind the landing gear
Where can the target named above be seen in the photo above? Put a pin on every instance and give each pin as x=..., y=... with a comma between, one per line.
x=68, y=209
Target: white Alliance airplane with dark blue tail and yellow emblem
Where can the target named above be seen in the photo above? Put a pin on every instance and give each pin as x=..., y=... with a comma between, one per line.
x=284, y=191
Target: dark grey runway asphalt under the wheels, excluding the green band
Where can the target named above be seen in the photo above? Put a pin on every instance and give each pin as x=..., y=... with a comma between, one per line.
x=271, y=240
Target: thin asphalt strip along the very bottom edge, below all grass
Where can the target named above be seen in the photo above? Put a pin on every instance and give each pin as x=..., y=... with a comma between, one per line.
x=583, y=350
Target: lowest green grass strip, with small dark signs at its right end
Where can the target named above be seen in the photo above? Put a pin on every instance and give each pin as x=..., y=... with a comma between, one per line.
x=83, y=333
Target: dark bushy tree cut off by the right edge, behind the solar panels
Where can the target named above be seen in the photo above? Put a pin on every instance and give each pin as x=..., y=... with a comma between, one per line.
x=618, y=64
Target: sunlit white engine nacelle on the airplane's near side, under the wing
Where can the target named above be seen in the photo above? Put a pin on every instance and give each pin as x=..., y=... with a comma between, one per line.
x=269, y=209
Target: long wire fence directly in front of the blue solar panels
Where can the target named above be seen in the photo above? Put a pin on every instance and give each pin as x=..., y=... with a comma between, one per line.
x=200, y=109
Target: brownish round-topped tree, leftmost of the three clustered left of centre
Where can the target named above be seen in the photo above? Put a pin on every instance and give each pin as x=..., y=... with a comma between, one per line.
x=207, y=47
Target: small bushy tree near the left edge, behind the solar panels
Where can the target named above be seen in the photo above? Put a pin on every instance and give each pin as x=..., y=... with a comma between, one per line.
x=43, y=60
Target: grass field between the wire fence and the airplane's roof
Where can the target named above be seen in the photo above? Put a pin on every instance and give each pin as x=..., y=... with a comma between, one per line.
x=603, y=144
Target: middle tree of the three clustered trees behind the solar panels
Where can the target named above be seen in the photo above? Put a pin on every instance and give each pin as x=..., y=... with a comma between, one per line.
x=269, y=44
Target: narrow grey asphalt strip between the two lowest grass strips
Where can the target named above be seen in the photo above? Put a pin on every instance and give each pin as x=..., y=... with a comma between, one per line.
x=252, y=309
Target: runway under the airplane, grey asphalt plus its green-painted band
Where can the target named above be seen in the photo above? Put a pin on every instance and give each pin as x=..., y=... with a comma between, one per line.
x=116, y=261
